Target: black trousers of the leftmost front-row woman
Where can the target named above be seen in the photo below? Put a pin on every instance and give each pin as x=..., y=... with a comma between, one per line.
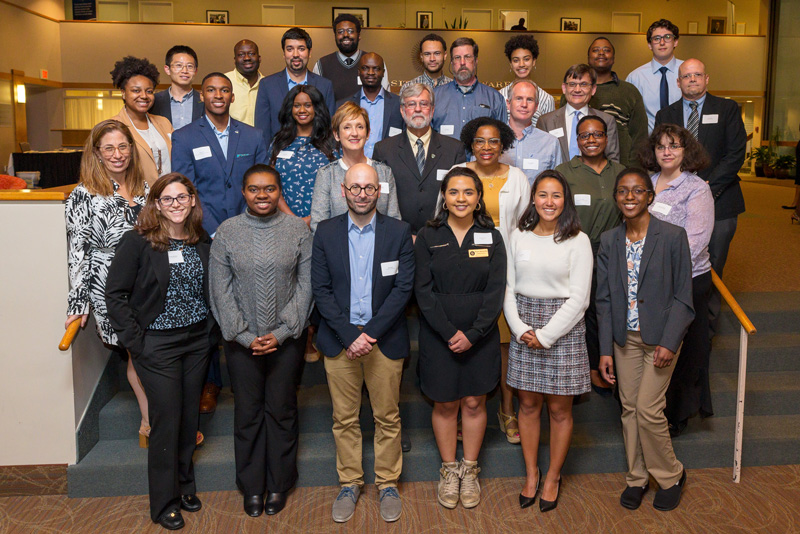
x=172, y=368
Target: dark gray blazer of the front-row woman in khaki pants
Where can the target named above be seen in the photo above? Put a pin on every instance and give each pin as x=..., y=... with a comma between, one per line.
x=665, y=287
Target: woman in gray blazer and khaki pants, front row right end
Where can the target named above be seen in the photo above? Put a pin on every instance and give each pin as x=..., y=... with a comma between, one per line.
x=644, y=307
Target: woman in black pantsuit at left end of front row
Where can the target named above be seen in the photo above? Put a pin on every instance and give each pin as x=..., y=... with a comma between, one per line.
x=157, y=299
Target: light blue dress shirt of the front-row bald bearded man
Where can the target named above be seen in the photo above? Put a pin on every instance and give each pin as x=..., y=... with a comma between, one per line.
x=362, y=251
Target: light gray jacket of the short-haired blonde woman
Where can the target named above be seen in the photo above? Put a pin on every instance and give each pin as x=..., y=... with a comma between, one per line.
x=327, y=200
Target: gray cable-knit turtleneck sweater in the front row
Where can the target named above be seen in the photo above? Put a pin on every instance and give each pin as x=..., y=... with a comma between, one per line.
x=260, y=277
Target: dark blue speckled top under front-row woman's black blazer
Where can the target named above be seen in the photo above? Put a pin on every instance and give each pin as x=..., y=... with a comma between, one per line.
x=185, y=303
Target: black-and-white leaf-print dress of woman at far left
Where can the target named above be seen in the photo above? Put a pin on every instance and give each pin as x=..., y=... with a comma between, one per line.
x=95, y=224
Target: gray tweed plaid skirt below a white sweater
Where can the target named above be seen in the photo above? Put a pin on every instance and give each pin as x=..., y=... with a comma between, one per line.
x=563, y=369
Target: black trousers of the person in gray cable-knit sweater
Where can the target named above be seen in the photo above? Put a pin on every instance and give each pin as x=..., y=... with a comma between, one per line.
x=265, y=424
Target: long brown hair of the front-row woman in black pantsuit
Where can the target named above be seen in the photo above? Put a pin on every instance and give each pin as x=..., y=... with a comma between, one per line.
x=152, y=224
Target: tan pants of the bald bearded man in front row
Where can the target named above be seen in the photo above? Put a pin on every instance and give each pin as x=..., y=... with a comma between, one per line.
x=345, y=379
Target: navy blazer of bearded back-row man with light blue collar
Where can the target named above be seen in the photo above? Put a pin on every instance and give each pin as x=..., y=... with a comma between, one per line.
x=272, y=90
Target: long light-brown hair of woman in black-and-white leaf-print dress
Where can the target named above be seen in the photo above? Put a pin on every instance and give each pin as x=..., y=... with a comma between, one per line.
x=93, y=173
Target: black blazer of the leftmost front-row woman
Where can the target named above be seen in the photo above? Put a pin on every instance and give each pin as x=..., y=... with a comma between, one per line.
x=136, y=289
